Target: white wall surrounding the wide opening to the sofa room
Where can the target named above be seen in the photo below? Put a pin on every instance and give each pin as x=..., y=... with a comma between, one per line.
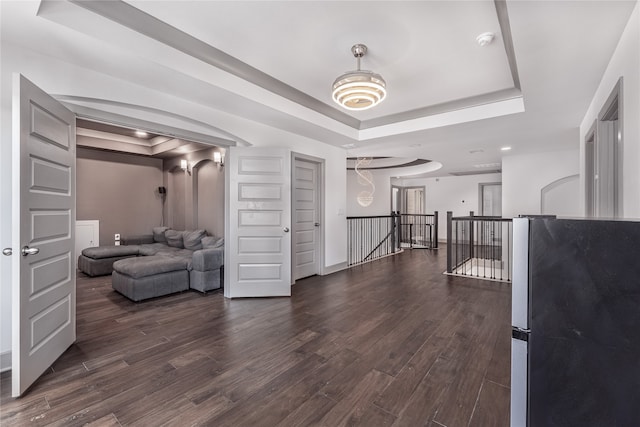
x=58, y=77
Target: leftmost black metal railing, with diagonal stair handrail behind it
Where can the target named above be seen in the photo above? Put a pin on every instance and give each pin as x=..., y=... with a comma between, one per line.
x=371, y=237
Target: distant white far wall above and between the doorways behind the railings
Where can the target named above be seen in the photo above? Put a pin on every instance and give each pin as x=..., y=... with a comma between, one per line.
x=458, y=194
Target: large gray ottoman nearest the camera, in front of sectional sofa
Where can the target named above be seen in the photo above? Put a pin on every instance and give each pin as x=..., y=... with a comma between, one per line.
x=150, y=276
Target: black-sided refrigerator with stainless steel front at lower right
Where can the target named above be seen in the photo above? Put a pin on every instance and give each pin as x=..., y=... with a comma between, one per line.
x=575, y=349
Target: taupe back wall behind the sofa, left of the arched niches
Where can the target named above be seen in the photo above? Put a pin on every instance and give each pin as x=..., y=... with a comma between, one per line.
x=119, y=190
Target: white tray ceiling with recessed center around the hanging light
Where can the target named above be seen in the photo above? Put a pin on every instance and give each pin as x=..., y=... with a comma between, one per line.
x=449, y=100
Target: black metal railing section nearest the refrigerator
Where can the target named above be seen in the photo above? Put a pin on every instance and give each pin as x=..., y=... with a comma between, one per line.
x=479, y=246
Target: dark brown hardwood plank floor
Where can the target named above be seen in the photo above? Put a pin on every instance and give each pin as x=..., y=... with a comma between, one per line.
x=393, y=342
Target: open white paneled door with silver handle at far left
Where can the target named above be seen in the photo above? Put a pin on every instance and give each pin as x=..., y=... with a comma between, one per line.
x=43, y=210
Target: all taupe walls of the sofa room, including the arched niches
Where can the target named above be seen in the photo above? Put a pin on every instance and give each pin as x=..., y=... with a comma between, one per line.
x=121, y=191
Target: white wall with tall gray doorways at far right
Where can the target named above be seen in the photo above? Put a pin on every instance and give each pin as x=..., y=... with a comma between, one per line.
x=625, y=63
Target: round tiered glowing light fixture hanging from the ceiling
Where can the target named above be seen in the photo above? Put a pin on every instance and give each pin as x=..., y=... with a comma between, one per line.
x=359, y=89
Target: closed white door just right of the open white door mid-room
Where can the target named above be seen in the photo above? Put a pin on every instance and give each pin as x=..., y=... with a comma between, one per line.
x=306, y=236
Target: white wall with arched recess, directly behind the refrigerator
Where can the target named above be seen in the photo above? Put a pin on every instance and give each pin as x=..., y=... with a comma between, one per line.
x=525, y=175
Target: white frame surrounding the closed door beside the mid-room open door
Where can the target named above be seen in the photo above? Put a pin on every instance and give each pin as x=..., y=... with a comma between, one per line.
x=321, y=202
